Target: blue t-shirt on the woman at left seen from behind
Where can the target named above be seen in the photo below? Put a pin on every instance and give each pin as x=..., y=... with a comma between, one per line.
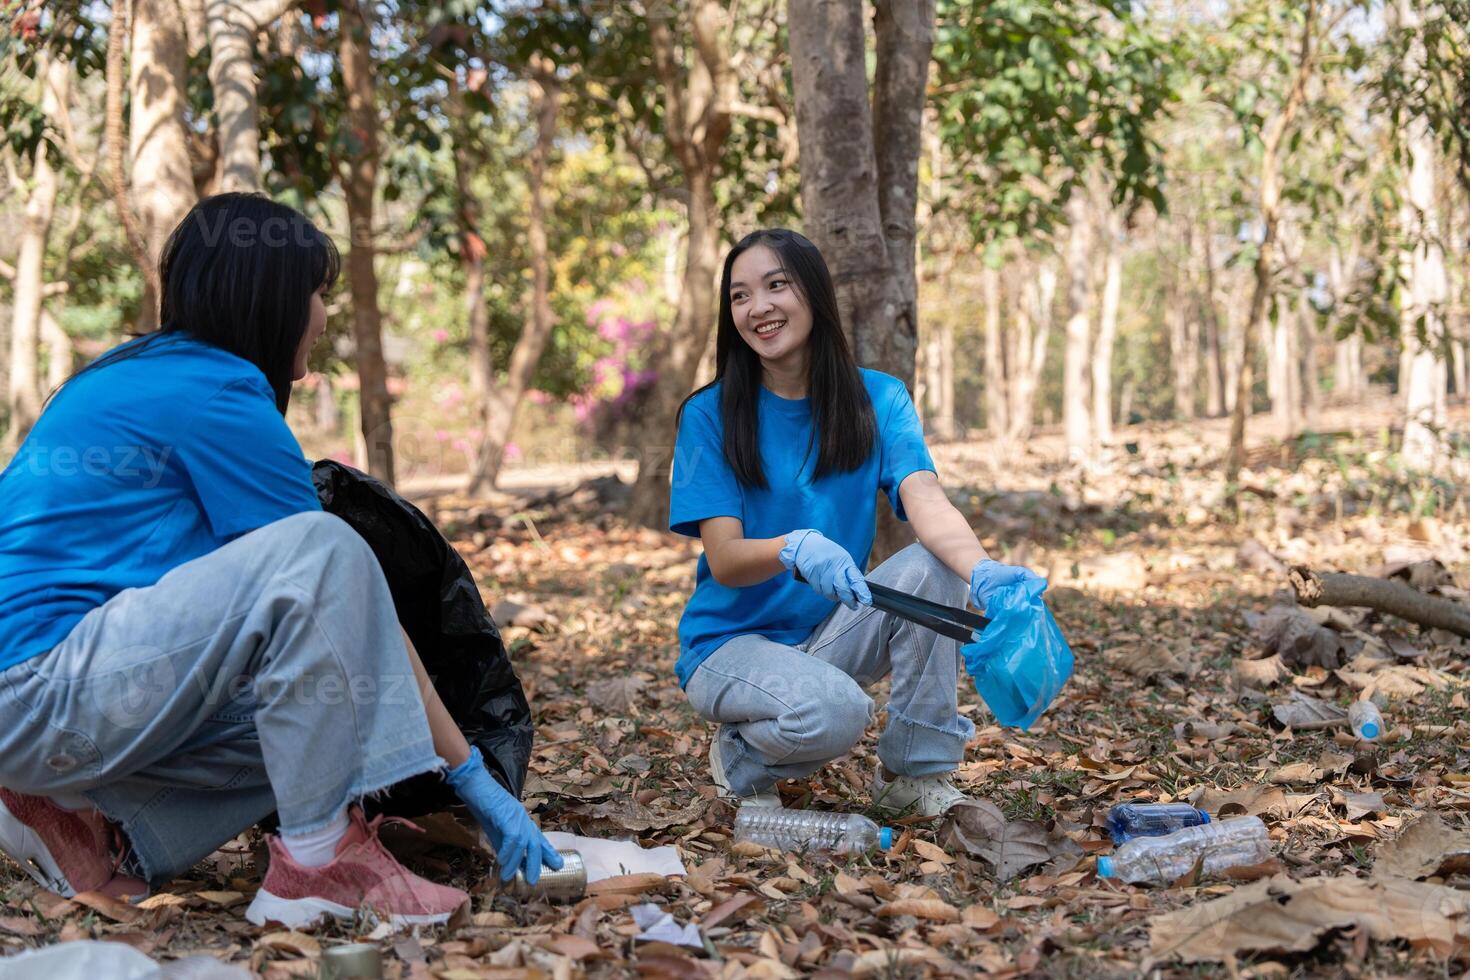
x=135, y=469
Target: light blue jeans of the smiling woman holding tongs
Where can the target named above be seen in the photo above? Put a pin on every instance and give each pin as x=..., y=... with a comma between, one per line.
x=786, y=712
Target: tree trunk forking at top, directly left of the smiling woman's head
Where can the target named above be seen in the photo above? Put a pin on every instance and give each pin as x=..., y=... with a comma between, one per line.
x=698, y=120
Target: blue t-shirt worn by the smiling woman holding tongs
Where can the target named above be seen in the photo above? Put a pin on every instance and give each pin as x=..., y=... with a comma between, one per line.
x=842, y=506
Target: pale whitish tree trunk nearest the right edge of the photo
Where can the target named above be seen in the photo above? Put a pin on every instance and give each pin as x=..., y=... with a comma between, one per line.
x=1424, y=293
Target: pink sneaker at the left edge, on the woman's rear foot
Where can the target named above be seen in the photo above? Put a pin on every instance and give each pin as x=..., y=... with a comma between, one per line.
x=67, y=851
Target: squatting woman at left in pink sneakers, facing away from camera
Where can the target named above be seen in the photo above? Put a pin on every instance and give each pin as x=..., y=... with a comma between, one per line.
x=187, y=643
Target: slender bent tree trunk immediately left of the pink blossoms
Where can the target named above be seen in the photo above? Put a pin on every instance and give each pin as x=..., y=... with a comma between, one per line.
x=499, y=421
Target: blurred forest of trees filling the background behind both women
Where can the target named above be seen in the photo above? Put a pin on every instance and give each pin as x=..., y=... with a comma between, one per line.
x=1083, y=217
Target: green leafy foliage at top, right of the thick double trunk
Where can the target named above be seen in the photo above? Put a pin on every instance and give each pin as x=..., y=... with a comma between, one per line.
x=1033, y=98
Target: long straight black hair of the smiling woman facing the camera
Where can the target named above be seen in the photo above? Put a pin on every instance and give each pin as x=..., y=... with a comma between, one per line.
x=840, y=405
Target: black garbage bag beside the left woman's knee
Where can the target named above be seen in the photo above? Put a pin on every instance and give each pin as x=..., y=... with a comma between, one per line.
x=440, y=609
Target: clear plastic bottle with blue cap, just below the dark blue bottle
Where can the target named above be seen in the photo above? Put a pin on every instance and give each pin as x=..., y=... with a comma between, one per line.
x=1224, y=846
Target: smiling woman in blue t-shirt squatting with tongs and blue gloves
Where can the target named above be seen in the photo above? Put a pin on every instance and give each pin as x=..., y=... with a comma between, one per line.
x=777, y=469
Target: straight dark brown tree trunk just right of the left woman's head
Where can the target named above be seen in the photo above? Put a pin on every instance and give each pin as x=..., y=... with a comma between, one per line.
x=359, y=179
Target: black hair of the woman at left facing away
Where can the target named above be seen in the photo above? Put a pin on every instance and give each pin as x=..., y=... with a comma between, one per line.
x=239, y=273
